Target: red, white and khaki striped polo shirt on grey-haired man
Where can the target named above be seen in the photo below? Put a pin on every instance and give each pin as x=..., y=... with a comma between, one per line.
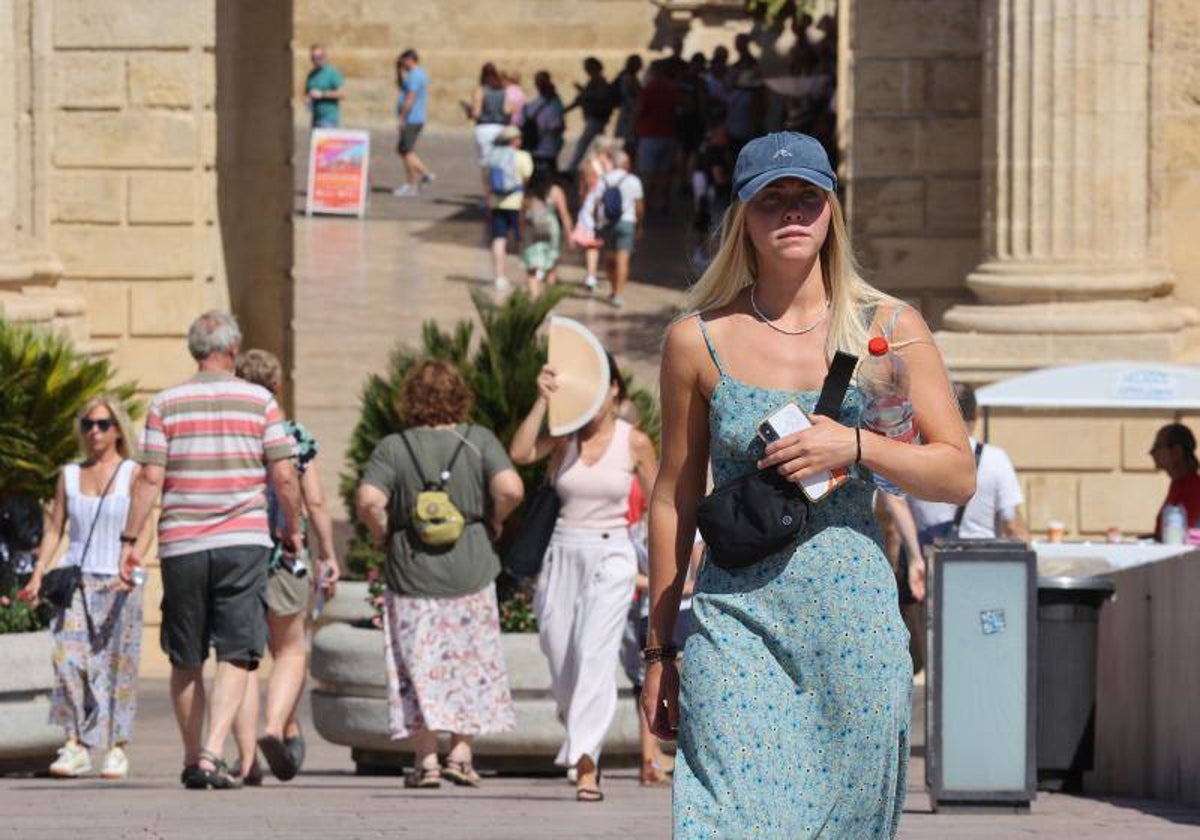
x=214, y=436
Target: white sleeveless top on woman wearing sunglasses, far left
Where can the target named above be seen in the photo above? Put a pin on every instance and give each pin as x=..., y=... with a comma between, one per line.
x=105, y=550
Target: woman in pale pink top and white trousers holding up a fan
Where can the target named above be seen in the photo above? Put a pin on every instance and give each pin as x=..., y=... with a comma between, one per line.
x=587, y=579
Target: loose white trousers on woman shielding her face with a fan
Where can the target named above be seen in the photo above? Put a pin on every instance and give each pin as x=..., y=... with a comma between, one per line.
x=584, y=596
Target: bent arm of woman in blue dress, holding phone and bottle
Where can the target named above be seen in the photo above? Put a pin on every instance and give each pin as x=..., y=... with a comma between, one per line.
x=941, y=470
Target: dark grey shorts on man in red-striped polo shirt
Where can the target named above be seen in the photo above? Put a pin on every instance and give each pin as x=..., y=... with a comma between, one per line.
x=215, y=599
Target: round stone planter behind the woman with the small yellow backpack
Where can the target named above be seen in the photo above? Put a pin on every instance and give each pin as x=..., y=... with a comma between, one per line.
x=350, y=706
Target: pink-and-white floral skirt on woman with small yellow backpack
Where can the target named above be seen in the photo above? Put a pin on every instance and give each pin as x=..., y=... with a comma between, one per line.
x=446, y=667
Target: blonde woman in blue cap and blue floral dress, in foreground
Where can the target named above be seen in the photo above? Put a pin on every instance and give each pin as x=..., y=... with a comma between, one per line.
x=794, y=701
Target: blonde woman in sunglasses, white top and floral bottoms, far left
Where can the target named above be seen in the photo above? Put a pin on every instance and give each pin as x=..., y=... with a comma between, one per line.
x=98, y=640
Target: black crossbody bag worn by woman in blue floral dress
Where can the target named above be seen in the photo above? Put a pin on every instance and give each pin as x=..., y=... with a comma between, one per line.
x=760, y=514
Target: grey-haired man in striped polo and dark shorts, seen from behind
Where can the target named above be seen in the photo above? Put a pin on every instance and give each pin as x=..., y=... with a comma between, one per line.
x=209, y=447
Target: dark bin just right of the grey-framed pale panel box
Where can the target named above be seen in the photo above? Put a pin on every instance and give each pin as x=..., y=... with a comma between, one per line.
x=1069, y=617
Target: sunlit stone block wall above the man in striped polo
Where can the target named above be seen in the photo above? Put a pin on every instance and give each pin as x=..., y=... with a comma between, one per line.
x=131, y=189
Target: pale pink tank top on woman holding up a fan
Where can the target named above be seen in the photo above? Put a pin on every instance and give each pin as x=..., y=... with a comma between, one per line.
x=597, y=496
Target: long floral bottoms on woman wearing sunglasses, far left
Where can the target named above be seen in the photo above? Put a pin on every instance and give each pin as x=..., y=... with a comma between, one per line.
x=97, y=681
